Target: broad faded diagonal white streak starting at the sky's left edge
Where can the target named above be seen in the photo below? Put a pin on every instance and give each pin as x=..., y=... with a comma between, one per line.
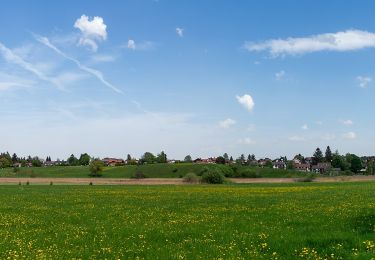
x=11, y=57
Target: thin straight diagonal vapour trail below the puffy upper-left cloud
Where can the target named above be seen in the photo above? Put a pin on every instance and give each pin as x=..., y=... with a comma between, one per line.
x=94, y=72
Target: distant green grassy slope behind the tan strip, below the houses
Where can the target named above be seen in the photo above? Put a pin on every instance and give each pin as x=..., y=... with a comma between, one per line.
x=151, y=171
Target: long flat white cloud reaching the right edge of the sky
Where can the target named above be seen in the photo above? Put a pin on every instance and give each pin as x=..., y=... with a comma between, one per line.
x=348, y=40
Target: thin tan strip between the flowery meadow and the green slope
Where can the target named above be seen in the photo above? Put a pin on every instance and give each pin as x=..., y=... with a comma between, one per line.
x=169, y=181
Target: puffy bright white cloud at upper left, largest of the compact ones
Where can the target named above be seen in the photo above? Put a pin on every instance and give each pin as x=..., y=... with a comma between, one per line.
x=92, y=31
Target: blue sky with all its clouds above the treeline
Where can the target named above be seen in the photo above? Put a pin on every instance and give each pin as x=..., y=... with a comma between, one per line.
x=188, y=77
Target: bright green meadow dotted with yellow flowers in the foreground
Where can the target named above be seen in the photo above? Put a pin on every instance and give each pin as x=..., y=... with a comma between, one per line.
x=283, y=221
